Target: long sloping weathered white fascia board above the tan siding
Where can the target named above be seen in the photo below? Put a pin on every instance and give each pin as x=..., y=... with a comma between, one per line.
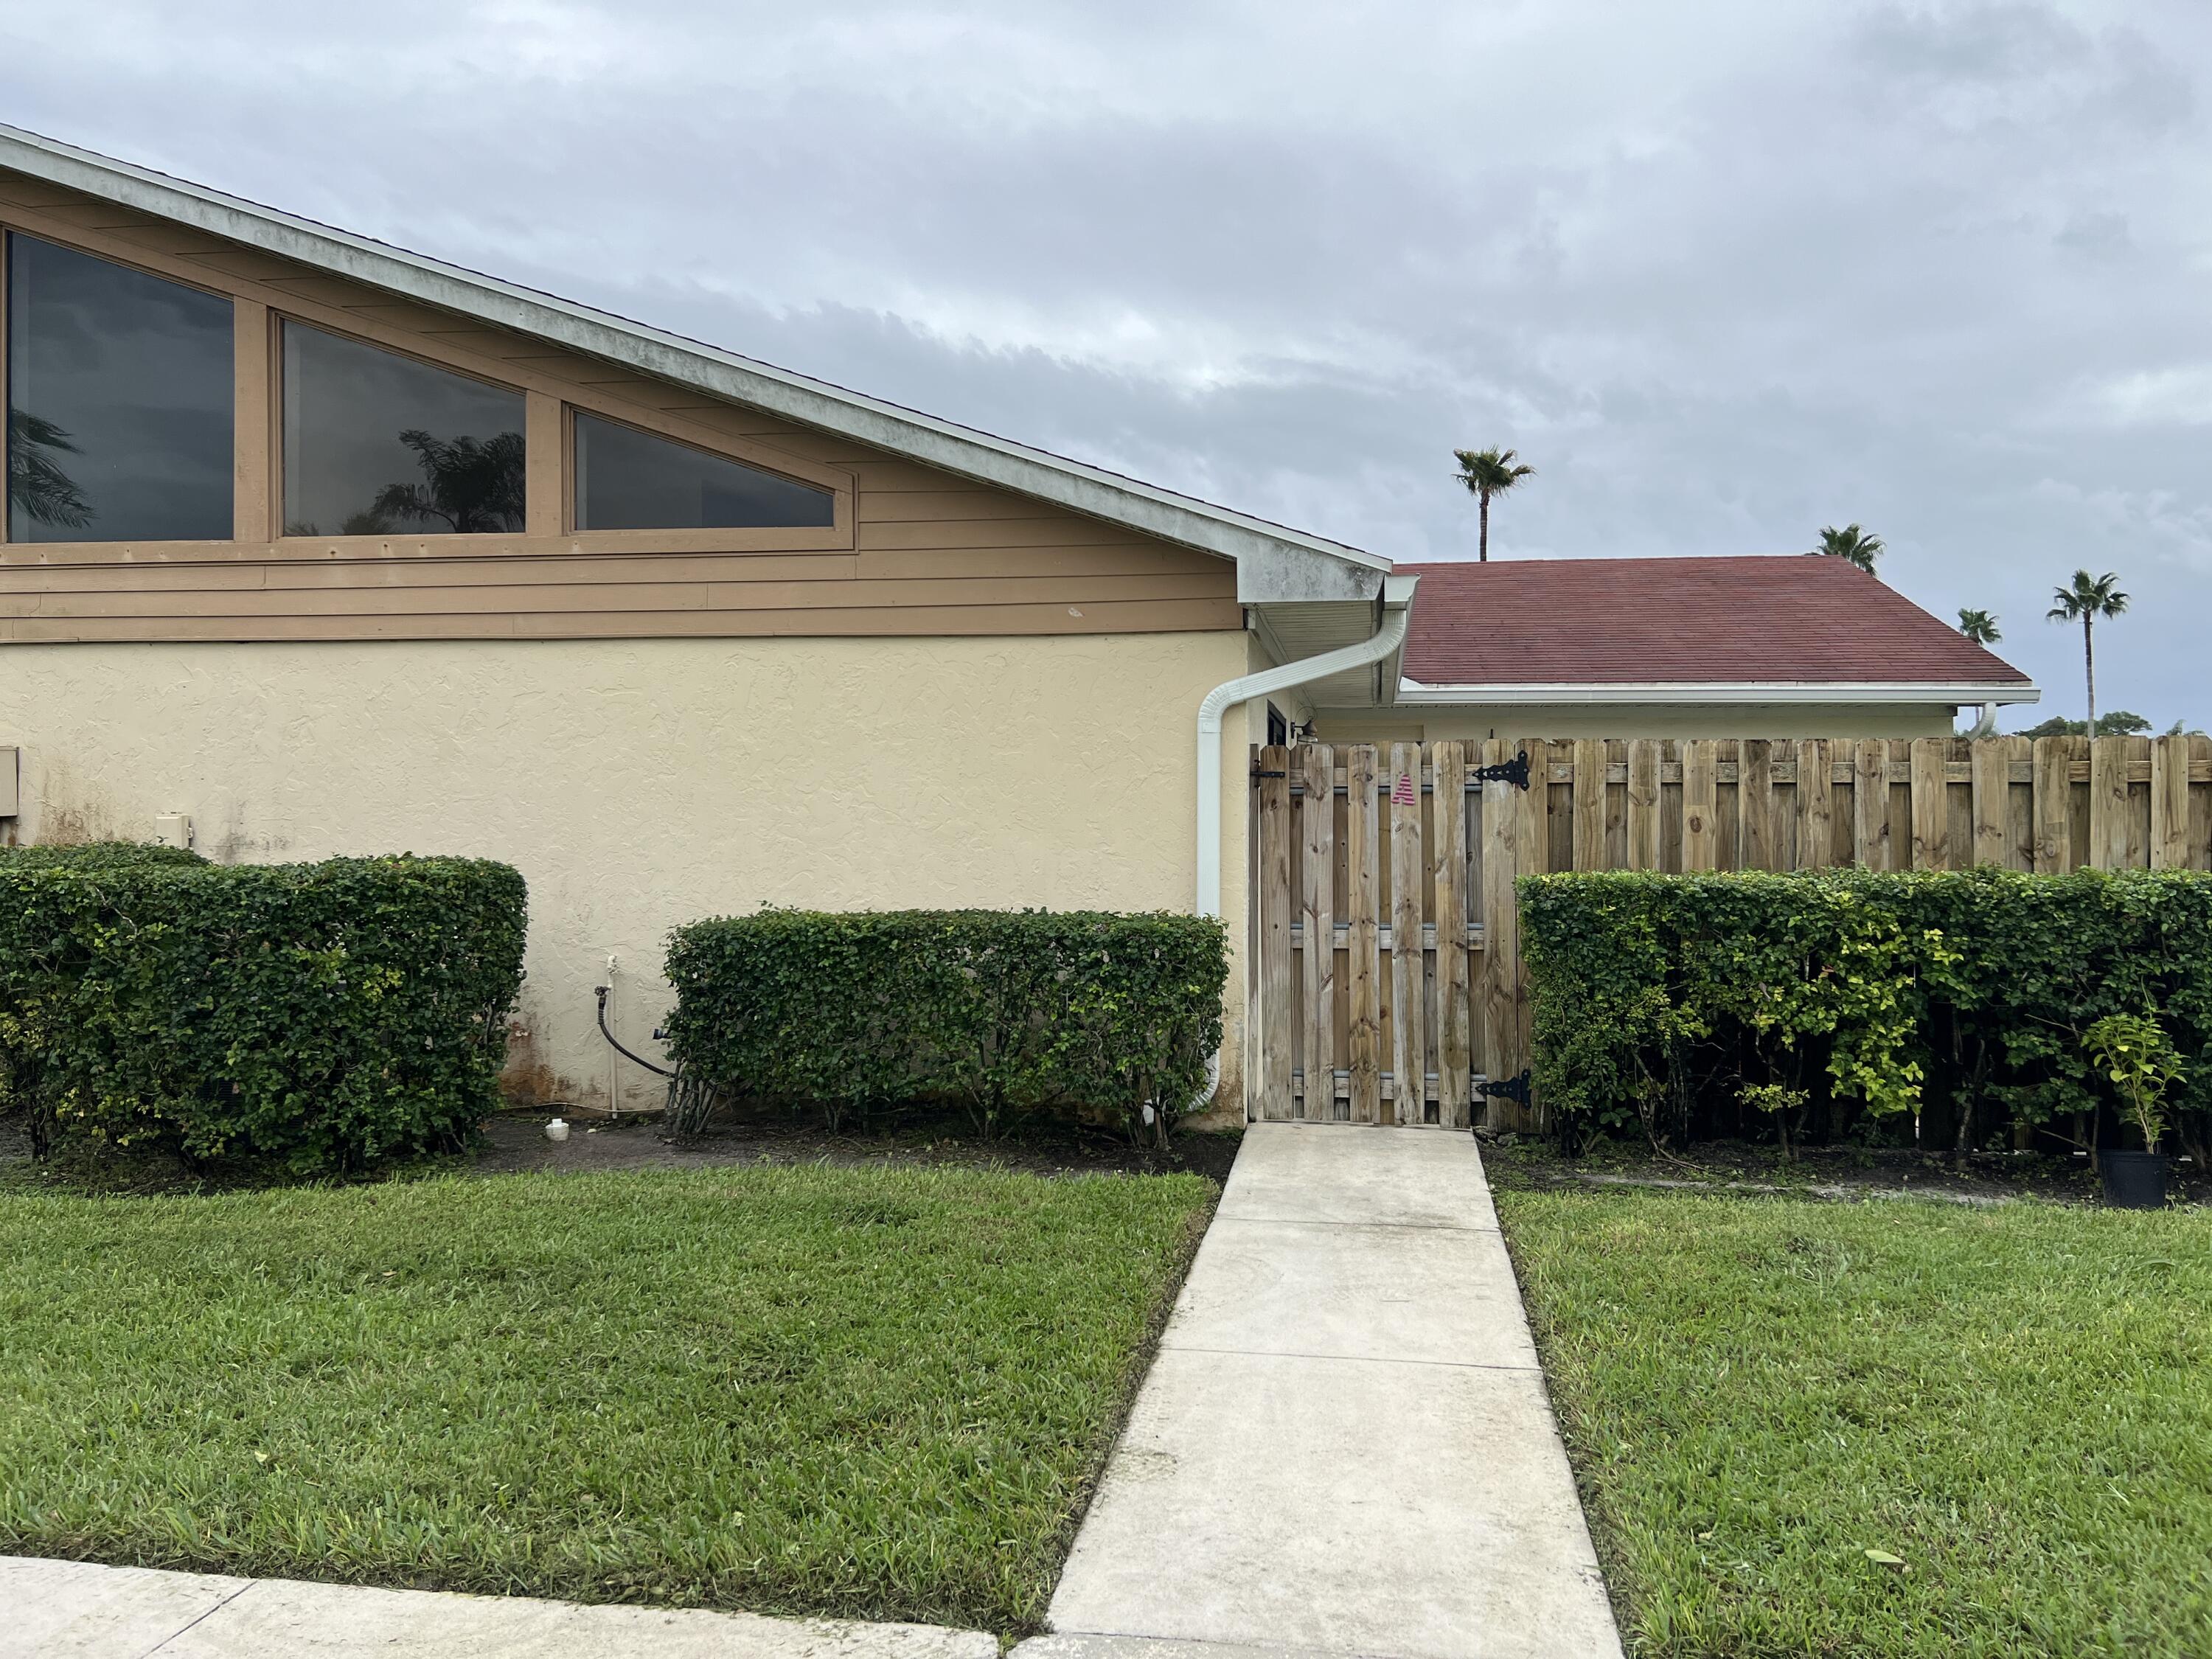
x=1286, y=563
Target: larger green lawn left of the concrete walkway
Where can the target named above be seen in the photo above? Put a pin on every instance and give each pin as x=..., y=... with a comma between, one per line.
x=789, y=1390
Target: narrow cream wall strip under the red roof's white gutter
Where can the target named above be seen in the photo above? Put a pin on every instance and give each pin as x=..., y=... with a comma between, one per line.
x=1636, y=720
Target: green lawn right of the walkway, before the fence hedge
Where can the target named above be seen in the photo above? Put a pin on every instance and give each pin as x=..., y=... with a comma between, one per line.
x=1757, y=1392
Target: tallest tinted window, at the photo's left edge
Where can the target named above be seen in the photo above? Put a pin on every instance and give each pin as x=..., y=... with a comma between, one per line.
x=118, y=404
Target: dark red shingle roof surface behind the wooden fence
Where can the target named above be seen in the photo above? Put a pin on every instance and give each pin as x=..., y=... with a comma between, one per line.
x=1724, y=620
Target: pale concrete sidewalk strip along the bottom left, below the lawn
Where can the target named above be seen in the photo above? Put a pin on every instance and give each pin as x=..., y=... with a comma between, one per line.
x=79, y=1611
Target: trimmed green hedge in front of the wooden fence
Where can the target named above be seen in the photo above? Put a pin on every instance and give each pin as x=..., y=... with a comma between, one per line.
x=1945, y=1005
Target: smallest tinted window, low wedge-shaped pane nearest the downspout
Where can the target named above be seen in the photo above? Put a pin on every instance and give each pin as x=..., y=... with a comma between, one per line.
x=627, y=481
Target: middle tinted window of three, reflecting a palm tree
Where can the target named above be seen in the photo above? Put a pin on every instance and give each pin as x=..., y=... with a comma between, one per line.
x=382, y=446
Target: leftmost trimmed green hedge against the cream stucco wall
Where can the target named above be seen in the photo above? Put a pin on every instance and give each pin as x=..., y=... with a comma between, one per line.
x=324, y=1016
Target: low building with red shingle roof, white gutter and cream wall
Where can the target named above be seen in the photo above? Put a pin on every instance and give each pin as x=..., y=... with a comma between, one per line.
x=1709, y=647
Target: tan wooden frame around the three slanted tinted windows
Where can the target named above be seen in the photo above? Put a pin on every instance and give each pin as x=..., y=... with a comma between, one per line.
x=550, y=441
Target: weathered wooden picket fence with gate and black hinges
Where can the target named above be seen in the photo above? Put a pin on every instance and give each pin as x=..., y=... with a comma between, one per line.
x=1368, y=846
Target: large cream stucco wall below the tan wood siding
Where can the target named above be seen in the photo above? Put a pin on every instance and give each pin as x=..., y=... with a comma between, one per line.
x=645, y=784
